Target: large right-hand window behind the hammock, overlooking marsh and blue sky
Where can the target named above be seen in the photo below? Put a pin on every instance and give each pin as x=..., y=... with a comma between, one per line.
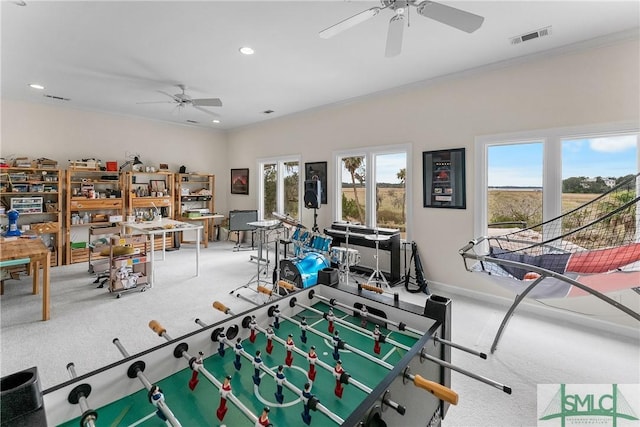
x=536, y=176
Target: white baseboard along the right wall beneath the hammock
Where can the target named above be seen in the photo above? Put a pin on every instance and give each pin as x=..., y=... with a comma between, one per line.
x=546, y=312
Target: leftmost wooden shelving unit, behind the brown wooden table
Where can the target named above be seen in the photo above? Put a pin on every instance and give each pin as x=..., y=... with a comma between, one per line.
x=36, y=193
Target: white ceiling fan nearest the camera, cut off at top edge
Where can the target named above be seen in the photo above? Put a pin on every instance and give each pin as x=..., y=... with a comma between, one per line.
x=457, y=18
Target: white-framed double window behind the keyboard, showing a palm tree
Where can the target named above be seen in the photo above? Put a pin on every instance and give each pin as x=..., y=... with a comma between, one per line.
x=373, y=187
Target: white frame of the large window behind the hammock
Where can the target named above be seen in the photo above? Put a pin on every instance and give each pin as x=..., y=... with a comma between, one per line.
x=551, y=140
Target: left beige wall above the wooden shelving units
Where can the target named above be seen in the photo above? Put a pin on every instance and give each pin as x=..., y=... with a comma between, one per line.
x=63, y=134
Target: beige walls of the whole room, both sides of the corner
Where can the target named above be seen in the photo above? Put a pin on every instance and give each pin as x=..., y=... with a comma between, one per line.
x=581, y=87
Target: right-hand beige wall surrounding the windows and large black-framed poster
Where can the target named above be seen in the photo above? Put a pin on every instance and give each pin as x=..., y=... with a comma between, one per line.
x=598, y=85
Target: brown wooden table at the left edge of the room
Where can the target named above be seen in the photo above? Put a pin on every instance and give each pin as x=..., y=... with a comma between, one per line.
x=40, y=257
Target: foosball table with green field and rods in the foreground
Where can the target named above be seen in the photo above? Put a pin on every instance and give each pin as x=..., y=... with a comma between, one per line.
x=320, y=356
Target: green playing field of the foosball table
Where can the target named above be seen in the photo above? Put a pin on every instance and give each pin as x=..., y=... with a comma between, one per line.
x=199, y=407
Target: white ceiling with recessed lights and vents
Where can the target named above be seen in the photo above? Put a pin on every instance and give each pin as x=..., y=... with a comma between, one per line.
x=111, y=55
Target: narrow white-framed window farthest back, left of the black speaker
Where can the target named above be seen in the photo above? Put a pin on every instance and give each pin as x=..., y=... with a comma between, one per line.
x=279, y=187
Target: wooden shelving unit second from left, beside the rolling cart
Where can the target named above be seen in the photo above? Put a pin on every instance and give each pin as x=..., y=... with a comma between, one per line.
x=92, y=197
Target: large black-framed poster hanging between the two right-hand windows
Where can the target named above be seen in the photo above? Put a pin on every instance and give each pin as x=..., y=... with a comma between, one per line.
x=443, y=178
